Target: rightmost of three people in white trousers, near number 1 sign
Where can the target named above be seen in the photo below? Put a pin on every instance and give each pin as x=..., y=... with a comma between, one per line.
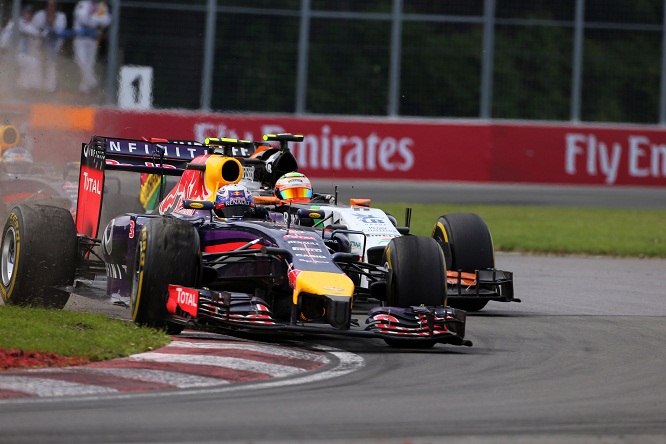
x=91, y=17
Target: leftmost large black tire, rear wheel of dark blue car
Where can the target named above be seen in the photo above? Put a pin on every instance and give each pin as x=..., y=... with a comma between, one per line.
x=39, y=253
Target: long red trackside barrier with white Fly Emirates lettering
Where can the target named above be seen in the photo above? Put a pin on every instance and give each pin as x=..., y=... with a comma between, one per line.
x=414, y=149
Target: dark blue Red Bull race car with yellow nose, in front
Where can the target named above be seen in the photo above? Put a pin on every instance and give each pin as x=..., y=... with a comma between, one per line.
x=182, y=266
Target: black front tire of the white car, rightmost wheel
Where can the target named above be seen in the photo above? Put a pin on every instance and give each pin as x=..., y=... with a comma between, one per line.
x=468, y=246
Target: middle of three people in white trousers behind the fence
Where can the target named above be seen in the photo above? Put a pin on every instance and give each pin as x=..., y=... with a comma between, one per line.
x=52, y=24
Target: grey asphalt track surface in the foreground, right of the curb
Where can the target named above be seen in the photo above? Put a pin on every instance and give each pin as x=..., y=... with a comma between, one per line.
x=580, y=360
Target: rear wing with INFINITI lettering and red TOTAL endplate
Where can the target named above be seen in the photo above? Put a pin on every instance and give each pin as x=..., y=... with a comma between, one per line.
x=154, y=156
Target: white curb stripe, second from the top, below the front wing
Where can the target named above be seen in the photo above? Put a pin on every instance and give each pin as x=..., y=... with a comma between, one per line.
x=275, y=370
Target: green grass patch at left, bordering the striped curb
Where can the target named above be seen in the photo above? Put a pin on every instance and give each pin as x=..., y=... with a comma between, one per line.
x=68, y=333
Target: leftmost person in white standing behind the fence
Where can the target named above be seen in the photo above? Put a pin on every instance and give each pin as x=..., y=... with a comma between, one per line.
x=27, y=49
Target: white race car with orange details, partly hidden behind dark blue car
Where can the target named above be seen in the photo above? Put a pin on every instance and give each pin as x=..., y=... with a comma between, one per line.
x=464, y=238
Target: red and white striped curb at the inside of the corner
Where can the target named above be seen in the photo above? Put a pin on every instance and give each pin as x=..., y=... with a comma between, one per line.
x=186, y=363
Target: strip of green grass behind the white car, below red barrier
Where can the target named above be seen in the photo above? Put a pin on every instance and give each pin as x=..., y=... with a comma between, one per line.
x=550, y=230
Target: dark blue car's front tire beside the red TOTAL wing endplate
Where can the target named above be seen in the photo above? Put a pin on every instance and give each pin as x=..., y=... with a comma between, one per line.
x=168, y=252
